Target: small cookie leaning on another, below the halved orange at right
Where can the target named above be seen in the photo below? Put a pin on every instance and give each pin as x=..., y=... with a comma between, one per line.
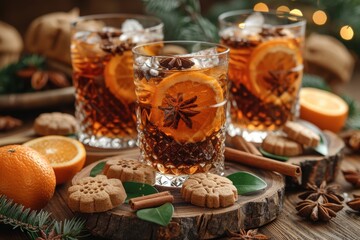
x=301, y=134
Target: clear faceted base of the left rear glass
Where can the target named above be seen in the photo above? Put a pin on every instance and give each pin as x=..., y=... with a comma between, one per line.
x=105, y=142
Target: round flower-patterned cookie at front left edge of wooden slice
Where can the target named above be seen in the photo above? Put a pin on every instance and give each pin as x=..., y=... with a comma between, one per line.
x=95, y=194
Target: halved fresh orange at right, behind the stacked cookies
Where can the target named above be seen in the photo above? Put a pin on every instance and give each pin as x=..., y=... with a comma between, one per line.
x=324, y=109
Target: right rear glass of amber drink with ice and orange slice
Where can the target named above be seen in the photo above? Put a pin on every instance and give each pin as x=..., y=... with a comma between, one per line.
x=265, y=70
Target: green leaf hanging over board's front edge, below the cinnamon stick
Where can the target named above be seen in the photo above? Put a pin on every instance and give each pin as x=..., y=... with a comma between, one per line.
x=159, y=215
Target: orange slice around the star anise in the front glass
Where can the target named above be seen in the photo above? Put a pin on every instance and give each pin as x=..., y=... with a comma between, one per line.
x=208, y=93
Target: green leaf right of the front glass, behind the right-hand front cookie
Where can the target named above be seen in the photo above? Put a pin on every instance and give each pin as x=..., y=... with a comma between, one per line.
x=247, y=183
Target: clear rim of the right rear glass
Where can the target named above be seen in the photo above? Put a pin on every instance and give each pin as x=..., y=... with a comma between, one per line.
x=300, y=20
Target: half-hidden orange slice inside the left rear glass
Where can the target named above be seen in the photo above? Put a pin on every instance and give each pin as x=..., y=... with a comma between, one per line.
x=118, y=76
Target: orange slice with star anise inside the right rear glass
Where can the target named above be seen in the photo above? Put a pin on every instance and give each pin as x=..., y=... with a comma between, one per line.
x=274, y=66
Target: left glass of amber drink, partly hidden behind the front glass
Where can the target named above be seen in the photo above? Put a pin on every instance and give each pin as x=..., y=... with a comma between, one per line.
x=103, y=75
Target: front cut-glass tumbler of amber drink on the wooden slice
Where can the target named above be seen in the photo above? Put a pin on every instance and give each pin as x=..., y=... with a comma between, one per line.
x=181, y=89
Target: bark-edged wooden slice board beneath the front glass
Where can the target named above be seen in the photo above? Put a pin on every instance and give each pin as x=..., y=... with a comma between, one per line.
x=192, y=222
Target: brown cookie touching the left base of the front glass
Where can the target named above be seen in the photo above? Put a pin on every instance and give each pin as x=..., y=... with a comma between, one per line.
x=129, y=170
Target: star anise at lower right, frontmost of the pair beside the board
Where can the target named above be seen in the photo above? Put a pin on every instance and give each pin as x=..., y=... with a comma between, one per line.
x=319, y=209
